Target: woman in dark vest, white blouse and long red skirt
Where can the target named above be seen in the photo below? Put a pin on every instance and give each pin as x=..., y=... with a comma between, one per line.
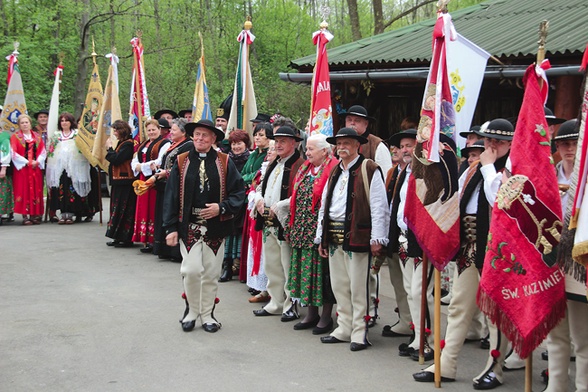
x=145, y=163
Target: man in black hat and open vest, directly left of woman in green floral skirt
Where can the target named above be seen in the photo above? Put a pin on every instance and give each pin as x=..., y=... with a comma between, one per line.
x=275, y=188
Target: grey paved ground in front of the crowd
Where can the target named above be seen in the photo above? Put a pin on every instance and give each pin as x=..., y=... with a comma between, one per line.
x=76, y=315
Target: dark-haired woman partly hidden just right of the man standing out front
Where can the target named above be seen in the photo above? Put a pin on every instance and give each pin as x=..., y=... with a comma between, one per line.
x=240, y=142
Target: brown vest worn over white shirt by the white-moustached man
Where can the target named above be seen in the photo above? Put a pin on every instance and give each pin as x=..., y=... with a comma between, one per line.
x=358, y=219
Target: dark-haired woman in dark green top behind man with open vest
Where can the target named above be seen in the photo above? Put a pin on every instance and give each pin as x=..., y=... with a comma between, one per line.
x=249, y=173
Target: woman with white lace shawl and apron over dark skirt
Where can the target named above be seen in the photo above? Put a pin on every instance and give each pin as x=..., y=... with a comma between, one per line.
x=68, y=171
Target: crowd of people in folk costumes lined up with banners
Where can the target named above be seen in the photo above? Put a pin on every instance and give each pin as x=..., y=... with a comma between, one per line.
x=305, y=221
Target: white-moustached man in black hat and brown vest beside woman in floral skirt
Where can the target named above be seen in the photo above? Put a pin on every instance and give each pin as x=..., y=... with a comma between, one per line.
x=353, y=224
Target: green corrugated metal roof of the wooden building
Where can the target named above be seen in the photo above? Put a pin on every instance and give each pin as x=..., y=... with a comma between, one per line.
x=504, y=28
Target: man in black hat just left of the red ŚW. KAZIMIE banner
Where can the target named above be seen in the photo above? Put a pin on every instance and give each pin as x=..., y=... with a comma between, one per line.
x=478, y=187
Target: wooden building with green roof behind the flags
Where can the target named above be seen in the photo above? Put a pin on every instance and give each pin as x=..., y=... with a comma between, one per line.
x=386, y=73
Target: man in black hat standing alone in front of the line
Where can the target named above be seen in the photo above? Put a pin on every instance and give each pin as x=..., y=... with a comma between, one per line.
x=203, y=193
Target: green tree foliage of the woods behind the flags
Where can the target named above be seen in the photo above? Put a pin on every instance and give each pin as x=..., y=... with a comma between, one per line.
x=172, y=48
